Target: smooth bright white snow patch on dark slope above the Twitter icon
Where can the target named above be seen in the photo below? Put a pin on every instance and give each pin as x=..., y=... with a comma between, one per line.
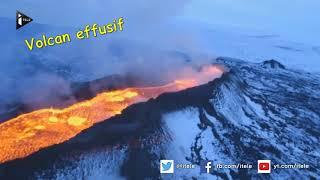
x=182, y=127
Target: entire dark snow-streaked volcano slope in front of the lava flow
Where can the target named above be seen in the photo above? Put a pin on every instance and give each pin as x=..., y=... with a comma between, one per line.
x=254, y=111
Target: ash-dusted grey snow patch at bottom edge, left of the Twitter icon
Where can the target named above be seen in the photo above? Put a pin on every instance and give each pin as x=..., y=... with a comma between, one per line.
x=96, y=165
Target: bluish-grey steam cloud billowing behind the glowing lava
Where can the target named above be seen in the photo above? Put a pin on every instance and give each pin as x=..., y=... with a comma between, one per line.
x=151, y=46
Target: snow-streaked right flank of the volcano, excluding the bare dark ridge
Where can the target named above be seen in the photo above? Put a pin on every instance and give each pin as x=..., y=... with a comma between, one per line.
x=260, y=111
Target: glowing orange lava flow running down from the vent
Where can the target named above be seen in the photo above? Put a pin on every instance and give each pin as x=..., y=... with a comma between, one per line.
x=27, y=133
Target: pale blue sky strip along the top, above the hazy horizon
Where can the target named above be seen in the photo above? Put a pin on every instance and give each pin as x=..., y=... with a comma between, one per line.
x=294, y=19
